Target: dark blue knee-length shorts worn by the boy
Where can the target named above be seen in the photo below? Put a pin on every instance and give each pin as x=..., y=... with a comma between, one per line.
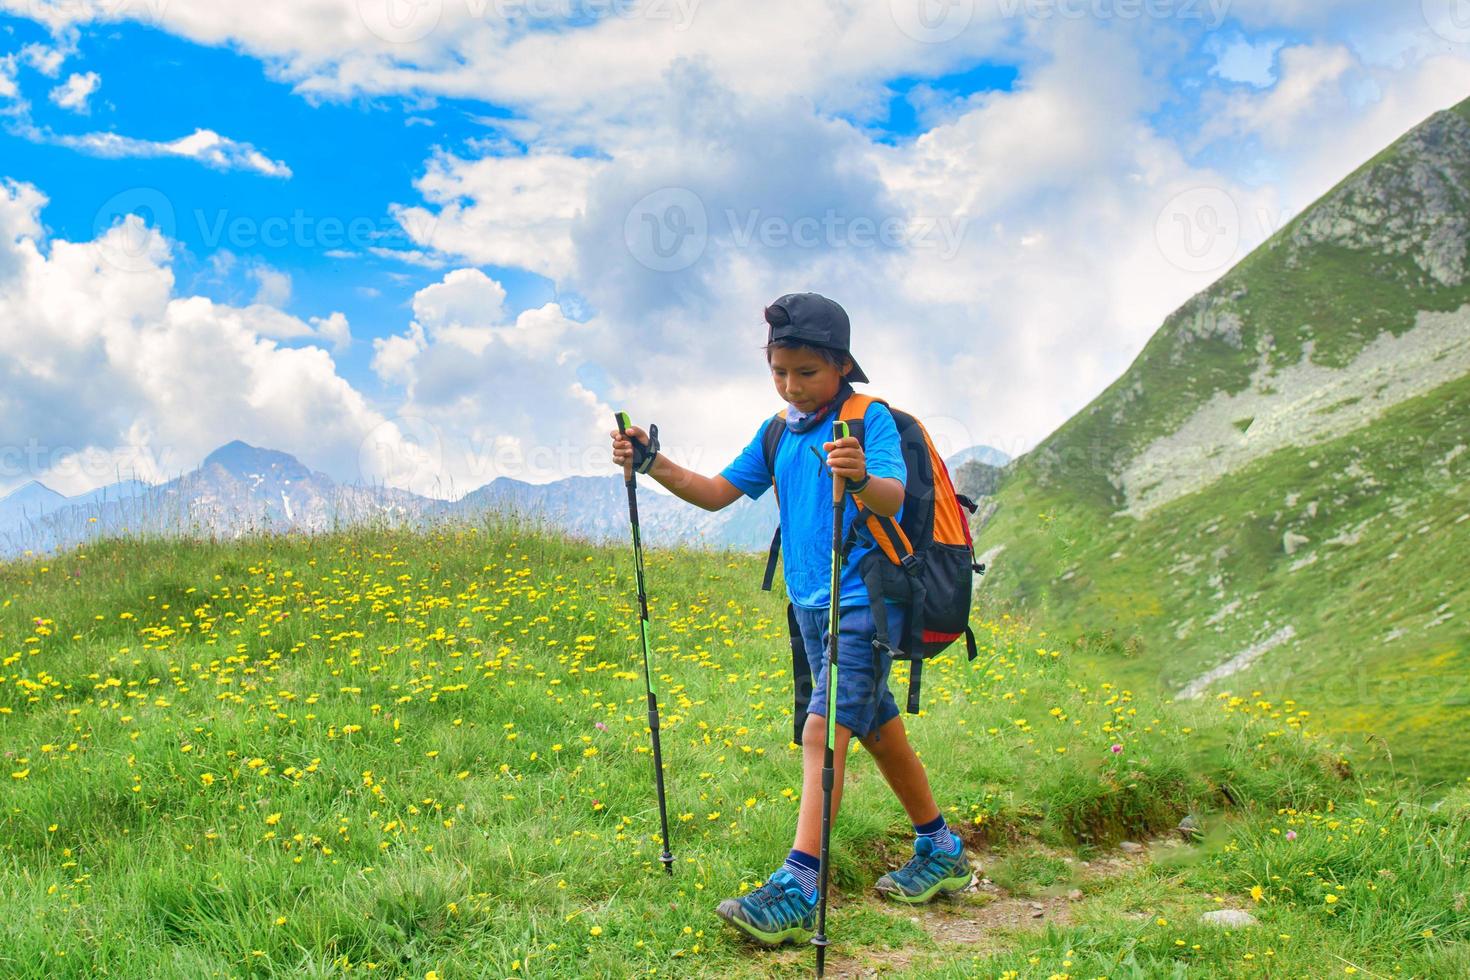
x=864, y=702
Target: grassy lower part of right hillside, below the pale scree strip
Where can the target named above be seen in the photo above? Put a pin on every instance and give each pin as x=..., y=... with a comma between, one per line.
x=1375, y=655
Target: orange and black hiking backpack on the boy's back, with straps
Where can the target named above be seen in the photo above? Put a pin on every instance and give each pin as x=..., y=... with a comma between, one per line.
x=925, y=561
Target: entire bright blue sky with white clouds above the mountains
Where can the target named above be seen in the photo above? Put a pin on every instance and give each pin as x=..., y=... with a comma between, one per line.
x=465, y=198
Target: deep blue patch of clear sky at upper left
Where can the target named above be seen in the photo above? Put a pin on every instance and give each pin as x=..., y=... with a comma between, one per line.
x=289, y=226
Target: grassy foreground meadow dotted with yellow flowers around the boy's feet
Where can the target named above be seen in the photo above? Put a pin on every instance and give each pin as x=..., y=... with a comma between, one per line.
x=376, y=753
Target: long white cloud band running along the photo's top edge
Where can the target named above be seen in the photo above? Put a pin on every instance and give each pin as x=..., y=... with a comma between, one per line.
x=571, y=83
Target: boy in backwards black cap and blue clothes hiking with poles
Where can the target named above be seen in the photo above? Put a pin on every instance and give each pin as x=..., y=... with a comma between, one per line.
x=812, y=368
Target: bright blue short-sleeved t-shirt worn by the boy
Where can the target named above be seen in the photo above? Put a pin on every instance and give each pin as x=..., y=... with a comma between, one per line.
x=805, y=491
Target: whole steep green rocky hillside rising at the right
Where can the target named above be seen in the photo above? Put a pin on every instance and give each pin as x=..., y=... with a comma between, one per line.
x=1277, y=490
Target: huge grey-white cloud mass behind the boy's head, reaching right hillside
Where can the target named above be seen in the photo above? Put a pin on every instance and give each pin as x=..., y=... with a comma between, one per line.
x=1059, y=202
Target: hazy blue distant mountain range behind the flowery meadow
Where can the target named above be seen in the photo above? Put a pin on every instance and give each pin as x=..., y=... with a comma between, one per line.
x=242, y=489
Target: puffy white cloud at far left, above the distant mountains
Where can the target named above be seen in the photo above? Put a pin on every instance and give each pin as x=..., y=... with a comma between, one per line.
x=104, y=362
